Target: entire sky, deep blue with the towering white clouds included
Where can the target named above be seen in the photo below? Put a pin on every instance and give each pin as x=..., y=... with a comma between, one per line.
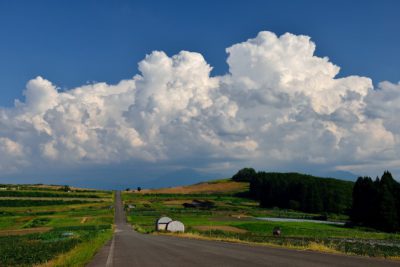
x=156, y=93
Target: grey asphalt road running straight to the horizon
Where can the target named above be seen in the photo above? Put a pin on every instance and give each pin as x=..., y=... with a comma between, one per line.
x=129, y=248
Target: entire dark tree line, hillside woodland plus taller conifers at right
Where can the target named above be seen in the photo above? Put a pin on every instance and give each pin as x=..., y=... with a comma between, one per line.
x=372, y=203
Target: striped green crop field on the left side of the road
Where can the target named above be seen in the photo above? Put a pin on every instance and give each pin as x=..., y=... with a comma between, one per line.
x=52, y=225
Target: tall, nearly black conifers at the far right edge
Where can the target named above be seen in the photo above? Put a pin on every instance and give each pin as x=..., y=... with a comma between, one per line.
x=377, y=203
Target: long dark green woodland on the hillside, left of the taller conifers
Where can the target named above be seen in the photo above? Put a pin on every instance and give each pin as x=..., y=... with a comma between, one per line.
x=301, y=192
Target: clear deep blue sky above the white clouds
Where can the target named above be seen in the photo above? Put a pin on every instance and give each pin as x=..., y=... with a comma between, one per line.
x=73, y=42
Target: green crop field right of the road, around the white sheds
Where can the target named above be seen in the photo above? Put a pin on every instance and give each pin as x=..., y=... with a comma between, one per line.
x=233, y=218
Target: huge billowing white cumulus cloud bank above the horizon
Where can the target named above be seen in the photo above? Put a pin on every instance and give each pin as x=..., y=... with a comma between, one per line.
x=279, y=105
